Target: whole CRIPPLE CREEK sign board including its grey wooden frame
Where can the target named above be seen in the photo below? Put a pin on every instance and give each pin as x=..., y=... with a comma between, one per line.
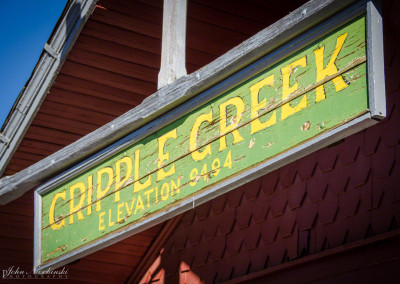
x=305, y=95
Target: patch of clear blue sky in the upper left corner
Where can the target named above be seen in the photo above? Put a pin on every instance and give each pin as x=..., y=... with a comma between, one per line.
x=25, y=27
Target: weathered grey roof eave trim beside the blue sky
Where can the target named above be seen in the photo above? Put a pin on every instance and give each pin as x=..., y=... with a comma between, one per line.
x=34, y=92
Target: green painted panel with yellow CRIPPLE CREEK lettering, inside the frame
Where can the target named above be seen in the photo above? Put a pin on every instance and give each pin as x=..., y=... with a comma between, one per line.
x=315, y=90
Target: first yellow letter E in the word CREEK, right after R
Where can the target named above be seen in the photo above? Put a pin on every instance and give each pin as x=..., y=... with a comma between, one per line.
x=256, y=124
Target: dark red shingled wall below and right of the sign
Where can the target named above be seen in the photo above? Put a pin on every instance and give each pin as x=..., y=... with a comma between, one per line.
x=339, y=197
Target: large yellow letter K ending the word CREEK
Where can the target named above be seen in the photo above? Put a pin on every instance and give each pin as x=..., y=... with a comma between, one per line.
x=330, y=69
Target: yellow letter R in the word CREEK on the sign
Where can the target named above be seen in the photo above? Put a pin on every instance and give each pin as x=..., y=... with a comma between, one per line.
x=224, y=128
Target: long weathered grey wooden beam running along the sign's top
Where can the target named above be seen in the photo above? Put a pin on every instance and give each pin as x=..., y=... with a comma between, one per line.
x=171, y=95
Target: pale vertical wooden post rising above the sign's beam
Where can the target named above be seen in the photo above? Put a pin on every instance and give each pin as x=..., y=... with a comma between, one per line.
x=173, y=42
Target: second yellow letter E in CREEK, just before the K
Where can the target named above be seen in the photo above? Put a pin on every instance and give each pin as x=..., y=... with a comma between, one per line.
x=287, y=110
